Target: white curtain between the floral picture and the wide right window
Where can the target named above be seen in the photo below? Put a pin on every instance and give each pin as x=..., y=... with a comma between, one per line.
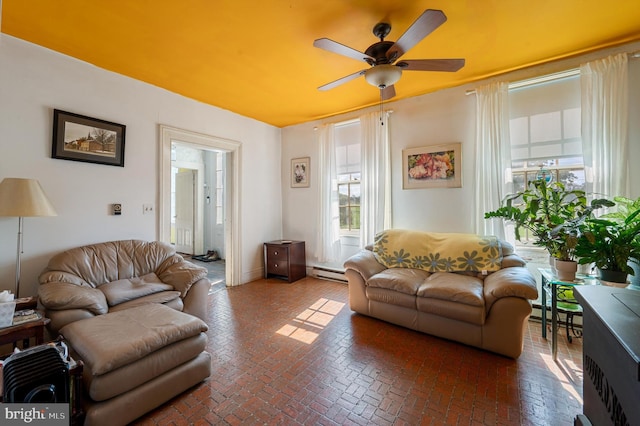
x=493, y=156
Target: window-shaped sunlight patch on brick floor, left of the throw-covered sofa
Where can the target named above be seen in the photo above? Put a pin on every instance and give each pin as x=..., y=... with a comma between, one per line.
x=307, y=325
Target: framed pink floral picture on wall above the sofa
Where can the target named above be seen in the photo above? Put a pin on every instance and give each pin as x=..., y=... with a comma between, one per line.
x=435, y=166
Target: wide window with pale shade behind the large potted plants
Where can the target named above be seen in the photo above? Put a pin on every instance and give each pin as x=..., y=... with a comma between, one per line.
x=545, y=133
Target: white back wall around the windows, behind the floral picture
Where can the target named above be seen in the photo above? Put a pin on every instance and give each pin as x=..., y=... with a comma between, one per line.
x=440, y=117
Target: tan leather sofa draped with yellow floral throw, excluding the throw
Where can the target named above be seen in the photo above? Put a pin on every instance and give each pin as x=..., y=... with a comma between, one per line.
x=486, y=311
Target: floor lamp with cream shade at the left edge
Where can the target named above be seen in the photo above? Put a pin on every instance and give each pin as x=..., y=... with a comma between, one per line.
x=23, y=198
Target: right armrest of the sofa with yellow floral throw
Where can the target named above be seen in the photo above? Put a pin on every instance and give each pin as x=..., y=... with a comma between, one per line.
x=509, y=282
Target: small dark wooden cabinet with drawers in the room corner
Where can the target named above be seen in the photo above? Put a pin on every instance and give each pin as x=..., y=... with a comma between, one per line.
x=285, y=259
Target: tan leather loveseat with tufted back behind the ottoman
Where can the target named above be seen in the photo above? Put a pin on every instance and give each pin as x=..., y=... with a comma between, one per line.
x=107, y=277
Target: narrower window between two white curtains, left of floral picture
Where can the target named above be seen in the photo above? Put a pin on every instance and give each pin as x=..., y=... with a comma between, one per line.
x=347, y=143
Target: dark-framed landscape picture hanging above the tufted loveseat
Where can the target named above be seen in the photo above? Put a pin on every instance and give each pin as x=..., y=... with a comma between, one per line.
x=91, y=140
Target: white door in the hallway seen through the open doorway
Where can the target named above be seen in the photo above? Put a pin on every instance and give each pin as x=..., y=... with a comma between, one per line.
x=185, y=211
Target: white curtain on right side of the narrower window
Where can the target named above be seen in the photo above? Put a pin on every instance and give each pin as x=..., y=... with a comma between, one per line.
x=375, y=186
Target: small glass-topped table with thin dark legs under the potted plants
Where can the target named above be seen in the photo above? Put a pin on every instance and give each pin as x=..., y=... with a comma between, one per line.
x=551, y=284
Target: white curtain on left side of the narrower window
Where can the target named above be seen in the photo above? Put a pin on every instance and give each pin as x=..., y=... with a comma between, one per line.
x=328, y=230
